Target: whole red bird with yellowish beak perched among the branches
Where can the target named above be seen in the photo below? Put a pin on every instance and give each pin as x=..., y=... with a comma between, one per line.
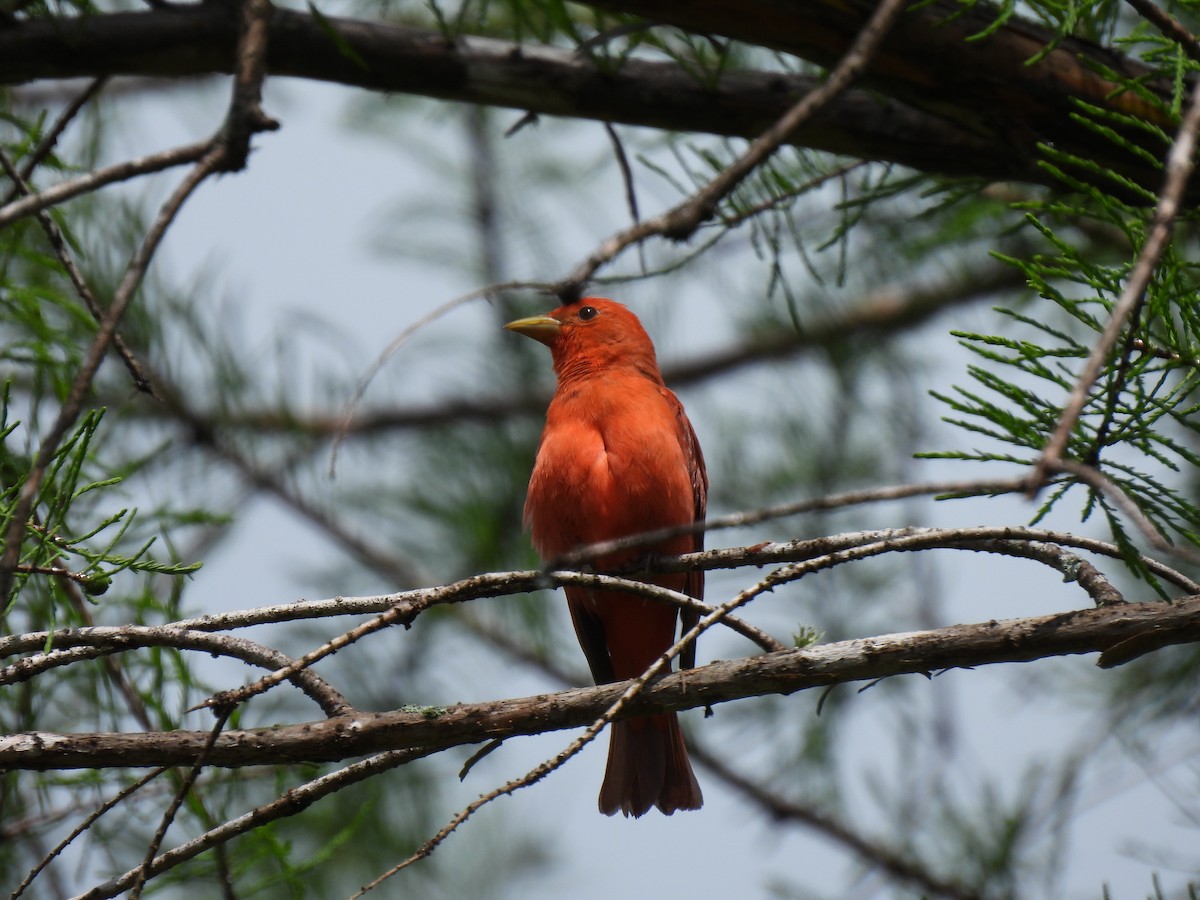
x=620, y=458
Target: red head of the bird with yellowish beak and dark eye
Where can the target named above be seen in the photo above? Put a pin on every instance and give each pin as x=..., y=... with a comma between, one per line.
x=591, y=335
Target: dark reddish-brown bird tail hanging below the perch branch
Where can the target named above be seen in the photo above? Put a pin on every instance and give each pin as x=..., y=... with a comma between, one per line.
x=649, y=766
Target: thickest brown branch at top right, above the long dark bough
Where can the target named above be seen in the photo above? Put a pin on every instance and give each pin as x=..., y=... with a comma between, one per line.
x=1017, y=86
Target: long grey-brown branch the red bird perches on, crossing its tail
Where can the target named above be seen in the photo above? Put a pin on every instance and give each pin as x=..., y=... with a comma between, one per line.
x=788, y=673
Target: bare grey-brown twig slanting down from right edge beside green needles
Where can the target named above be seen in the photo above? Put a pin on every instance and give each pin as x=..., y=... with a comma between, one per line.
x=1180, y=163
